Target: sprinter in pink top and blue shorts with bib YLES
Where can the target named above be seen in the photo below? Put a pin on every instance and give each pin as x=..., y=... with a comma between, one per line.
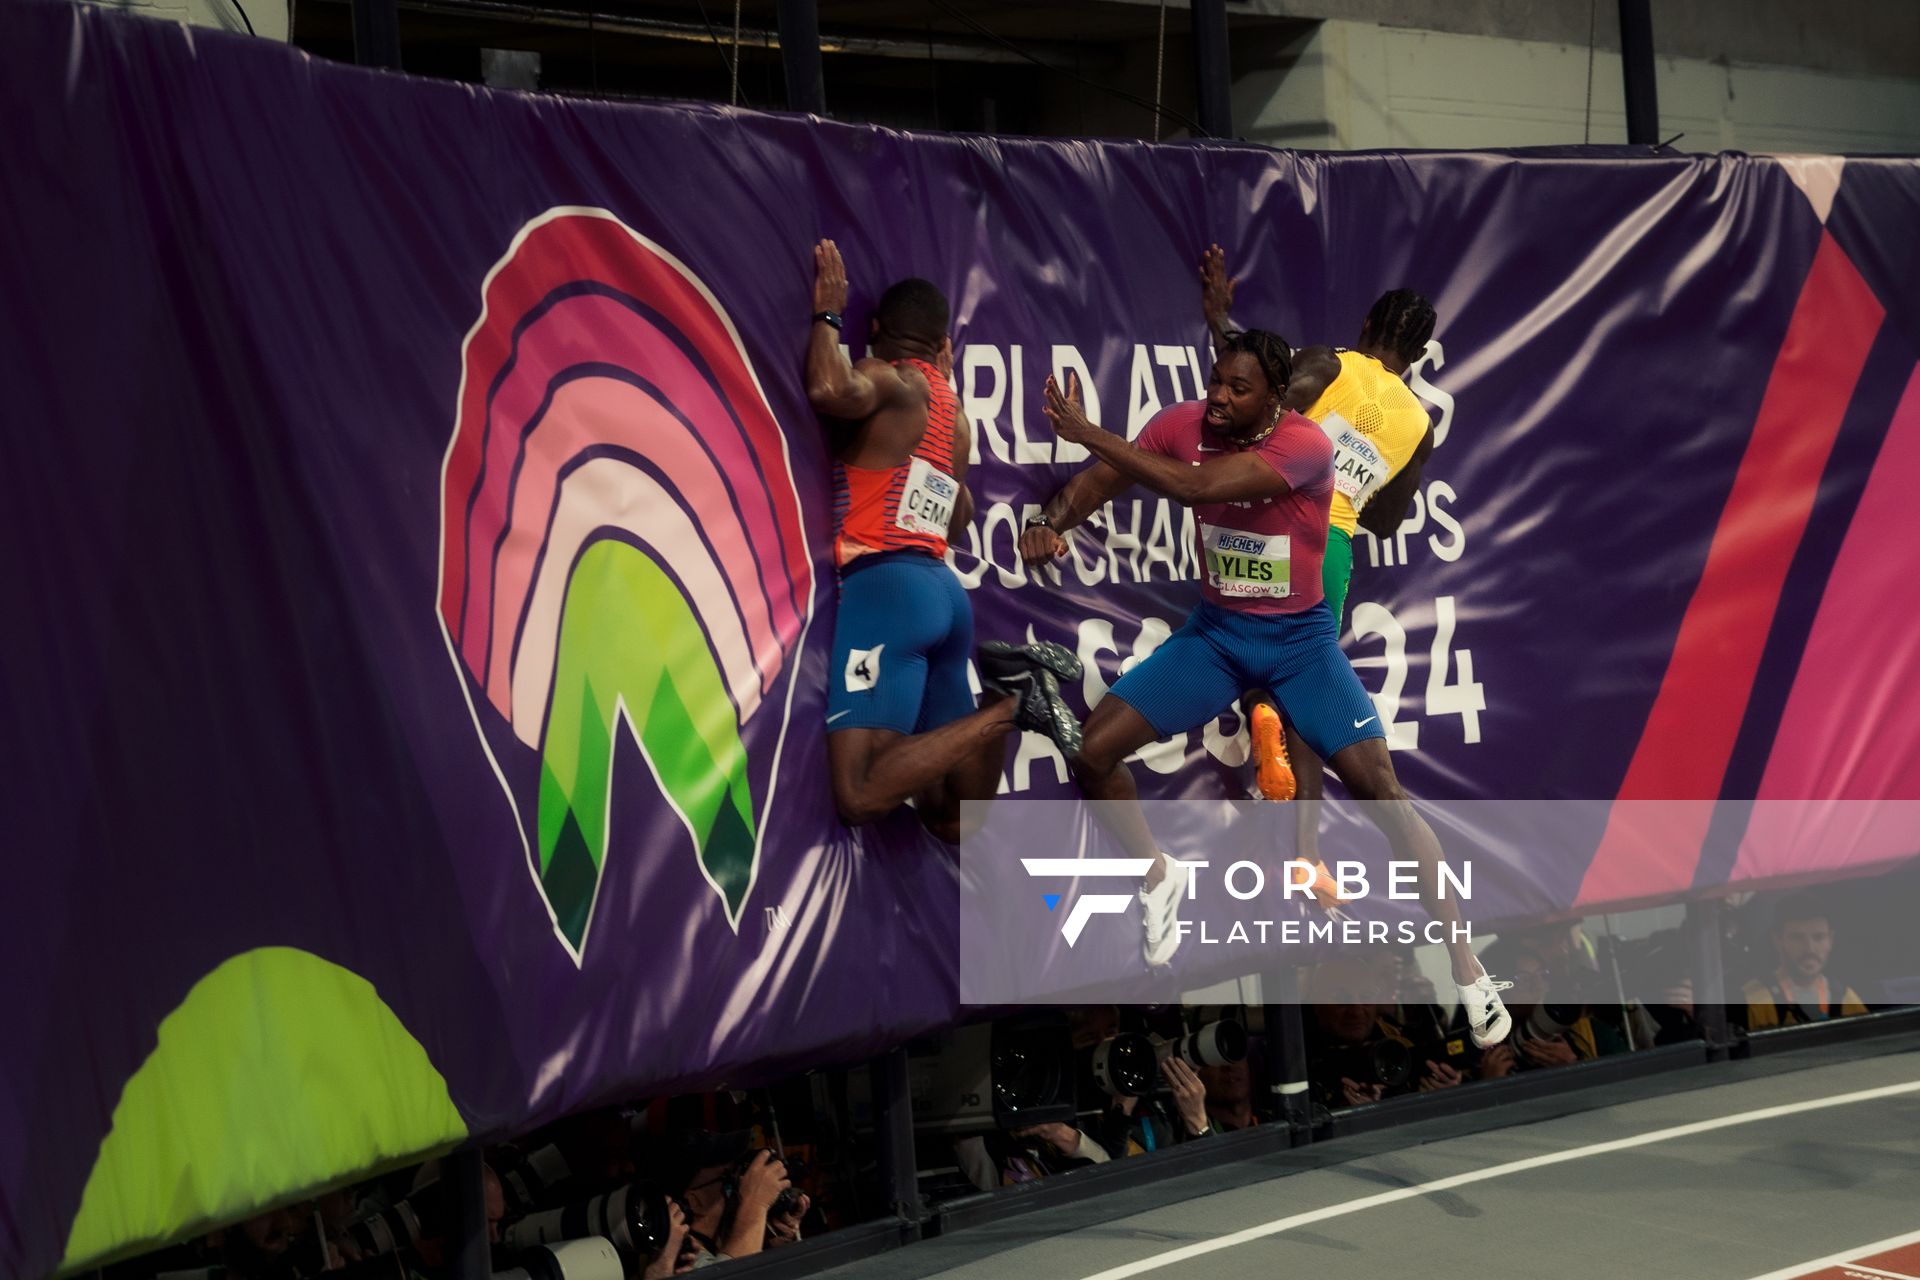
x=1260, y=485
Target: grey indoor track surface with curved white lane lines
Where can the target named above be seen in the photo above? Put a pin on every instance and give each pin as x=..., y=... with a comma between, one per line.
x=1742, y=1179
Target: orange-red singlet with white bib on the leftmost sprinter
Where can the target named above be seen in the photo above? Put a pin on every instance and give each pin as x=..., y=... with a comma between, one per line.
x=909, y=506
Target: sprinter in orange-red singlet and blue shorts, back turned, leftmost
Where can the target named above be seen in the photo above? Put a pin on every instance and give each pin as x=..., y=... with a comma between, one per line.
x=901, y=719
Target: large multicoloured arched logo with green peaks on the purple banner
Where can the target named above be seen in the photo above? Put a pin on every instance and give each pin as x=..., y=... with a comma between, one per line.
x=621, y=546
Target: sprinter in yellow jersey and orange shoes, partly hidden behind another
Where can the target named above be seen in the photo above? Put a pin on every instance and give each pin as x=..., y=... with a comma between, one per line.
x=1381, y=439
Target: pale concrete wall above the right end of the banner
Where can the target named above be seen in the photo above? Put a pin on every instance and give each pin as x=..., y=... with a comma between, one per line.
x=1355, y=85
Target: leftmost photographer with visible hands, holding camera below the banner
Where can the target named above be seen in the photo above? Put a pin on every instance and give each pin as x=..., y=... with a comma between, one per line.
x=732, y=1197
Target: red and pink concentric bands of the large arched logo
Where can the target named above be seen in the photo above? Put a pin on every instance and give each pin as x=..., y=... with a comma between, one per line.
x=731, y=458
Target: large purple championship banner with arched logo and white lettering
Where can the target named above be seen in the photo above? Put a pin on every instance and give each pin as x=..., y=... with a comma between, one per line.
x=420, y=596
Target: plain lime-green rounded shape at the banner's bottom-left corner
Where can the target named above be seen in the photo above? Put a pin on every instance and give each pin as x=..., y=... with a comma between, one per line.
x=279, y=1074
